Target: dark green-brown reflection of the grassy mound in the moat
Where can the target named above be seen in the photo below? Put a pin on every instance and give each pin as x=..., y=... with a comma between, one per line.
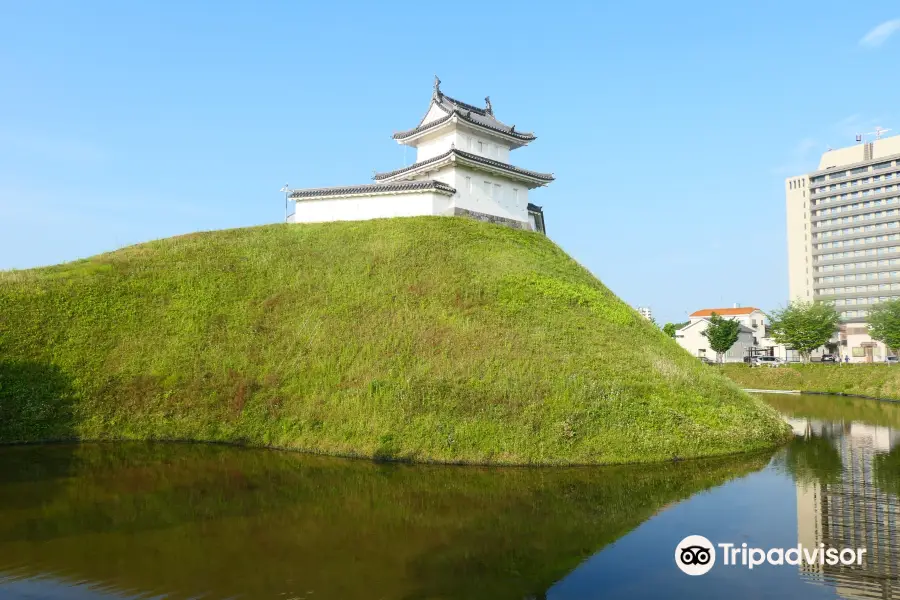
x=192, y=520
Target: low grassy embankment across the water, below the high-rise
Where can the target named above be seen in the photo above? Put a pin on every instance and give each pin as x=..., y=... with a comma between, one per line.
x=877, y=380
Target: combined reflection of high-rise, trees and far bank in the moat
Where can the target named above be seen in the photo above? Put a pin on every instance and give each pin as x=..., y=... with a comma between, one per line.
x=847, y=475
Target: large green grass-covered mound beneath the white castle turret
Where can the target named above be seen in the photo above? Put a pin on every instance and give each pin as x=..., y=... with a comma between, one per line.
x=429, y=339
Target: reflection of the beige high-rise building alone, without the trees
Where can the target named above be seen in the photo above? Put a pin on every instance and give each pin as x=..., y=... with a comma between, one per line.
x=853, y=513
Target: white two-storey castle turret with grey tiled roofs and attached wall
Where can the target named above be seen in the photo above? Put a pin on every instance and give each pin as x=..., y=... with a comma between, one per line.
x=462, y=169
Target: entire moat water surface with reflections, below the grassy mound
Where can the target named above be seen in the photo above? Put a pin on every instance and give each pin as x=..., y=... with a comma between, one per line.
x=104, y=521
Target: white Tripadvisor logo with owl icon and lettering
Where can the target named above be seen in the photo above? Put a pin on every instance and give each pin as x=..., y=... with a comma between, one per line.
x=696, y=555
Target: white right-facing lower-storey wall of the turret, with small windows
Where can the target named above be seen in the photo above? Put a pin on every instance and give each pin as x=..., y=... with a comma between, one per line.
x=502, y=204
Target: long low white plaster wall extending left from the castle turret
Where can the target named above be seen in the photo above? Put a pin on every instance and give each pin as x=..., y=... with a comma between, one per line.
x=361, y=208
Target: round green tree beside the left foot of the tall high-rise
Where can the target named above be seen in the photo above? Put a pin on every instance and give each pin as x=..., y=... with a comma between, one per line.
x=803, y=326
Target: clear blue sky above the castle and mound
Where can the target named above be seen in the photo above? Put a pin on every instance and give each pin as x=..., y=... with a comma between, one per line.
x=669, y=126
